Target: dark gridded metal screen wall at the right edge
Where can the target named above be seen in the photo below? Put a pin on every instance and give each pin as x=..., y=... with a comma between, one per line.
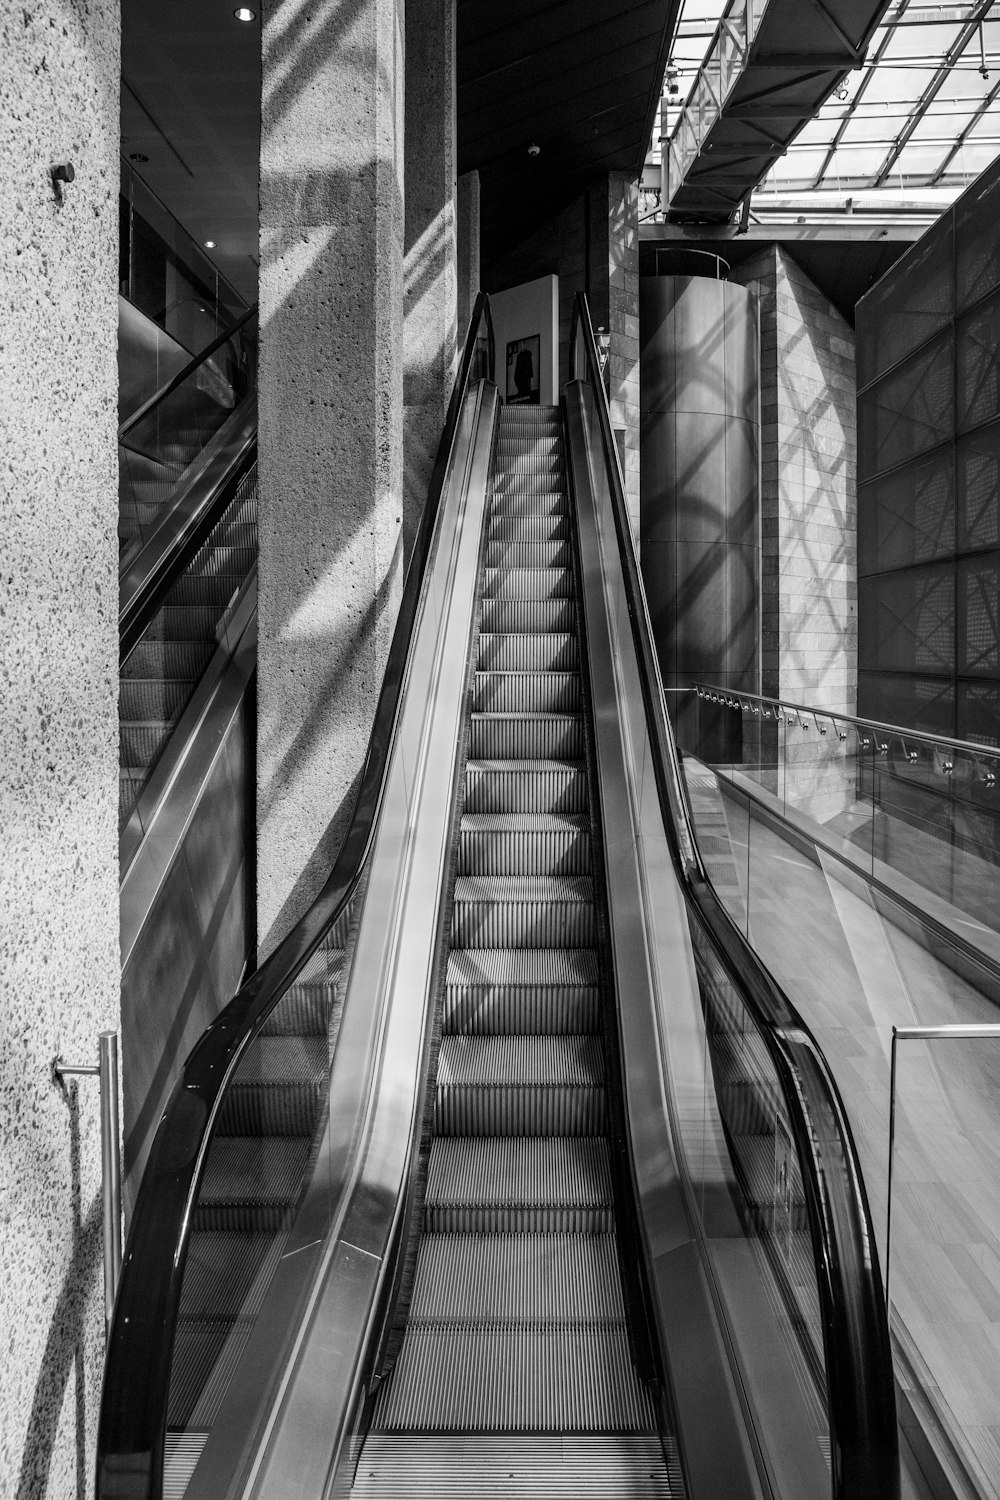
x=929, y=479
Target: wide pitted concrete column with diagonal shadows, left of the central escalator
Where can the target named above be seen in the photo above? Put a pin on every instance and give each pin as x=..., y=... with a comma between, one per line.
x=331, y=431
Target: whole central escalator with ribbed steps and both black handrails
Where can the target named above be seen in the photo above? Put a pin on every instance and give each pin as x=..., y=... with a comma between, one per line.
x=510, y=1171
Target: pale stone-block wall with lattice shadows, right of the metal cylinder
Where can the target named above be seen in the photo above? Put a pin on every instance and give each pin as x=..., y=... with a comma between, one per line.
x=809, y=499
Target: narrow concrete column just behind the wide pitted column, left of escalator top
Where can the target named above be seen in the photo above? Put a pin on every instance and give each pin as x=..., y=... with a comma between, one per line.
x=430, y=266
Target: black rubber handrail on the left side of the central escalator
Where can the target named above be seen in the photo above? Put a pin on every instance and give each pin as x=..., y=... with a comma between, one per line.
x=133, y=1424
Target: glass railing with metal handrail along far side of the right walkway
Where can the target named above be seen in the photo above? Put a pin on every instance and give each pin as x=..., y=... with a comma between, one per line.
x=915, y=811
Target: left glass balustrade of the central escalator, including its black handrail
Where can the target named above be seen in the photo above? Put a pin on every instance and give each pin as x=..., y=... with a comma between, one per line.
x=223, y=1202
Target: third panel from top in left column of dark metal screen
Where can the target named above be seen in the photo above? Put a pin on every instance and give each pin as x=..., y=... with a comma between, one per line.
x=908, y=517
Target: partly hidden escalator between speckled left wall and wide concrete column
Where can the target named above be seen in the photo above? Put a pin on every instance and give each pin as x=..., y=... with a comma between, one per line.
x=188, y=656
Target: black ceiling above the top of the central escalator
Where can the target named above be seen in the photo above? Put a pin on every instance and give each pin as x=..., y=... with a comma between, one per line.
x=579, y=80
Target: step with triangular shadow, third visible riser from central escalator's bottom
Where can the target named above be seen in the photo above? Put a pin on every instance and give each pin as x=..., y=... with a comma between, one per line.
x=528, y=991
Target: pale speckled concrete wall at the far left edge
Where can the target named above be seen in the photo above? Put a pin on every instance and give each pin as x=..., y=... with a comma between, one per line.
x=59, y=743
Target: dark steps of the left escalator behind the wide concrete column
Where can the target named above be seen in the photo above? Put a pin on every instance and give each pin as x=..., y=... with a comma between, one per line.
x=163, y=671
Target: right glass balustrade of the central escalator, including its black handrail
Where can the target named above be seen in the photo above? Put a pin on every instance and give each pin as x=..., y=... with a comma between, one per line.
x=774, y=1172
